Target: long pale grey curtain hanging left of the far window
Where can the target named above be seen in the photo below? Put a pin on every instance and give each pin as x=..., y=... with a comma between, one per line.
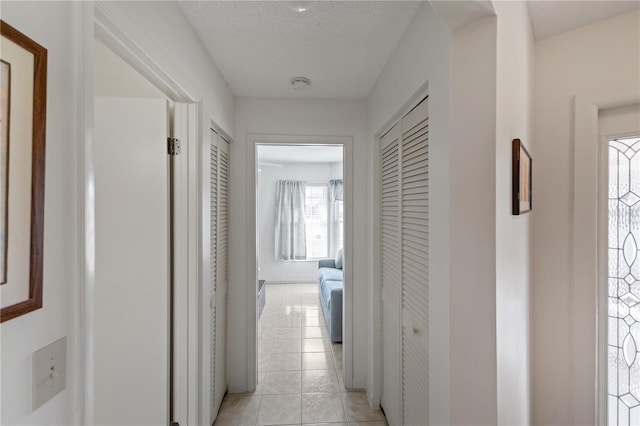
x=290, y=233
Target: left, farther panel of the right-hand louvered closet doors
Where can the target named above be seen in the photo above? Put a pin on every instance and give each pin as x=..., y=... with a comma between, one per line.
x=390, y=265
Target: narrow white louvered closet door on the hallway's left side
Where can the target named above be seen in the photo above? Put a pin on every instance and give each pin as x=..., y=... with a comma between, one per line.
x=219, y=204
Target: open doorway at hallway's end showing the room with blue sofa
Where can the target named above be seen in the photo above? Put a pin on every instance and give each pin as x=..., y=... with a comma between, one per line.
x=302, y=203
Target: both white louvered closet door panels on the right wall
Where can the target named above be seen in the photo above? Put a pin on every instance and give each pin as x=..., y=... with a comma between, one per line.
x=404, y=190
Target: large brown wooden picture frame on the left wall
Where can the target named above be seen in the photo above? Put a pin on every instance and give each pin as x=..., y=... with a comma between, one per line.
x=25, y=110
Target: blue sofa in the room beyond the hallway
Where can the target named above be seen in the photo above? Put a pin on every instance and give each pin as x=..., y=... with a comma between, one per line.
x=330, y=280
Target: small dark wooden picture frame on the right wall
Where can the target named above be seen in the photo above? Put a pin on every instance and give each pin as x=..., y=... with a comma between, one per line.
x=522, y=177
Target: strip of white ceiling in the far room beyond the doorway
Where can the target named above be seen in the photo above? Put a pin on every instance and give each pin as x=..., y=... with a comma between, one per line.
x=280, y=154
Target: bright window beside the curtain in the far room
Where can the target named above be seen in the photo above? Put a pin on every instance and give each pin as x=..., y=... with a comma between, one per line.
x=315, y=214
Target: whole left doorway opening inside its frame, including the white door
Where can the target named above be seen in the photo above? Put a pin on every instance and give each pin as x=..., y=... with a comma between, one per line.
x=141, y=248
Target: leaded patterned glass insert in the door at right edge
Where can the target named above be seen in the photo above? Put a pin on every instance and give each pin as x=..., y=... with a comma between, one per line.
x=624, y=282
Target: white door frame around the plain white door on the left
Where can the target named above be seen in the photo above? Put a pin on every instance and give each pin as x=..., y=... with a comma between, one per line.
x=107, y=22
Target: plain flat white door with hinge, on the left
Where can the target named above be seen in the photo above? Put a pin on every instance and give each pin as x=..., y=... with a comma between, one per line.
x=131, y=334
